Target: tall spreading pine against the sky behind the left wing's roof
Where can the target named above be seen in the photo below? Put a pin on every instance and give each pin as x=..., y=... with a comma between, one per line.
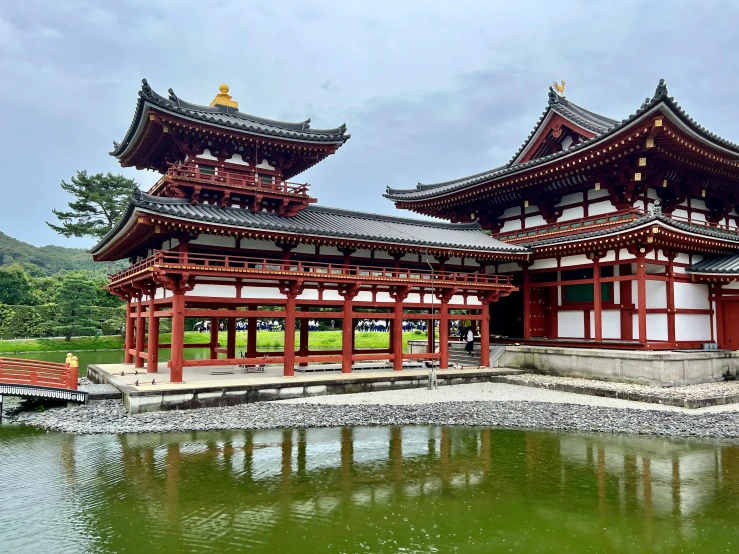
x=100, y=202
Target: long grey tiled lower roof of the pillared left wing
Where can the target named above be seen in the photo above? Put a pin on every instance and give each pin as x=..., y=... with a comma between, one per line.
x=324, y=221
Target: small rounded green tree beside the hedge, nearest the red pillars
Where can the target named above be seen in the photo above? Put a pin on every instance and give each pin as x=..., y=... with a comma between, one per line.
x=76, y=294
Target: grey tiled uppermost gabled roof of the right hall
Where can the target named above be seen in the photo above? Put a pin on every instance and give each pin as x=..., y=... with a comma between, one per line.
x=603, y=127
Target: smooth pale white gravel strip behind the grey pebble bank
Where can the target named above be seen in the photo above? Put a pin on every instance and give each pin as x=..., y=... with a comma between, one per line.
x=496, y=392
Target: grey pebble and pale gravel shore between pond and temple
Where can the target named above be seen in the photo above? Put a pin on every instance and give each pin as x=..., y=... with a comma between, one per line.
x=475, y=405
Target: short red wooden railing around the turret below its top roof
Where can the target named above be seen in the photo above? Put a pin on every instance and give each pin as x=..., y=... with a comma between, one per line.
x=248, y=179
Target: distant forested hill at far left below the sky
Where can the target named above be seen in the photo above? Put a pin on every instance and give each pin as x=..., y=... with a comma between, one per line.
x=48, y=260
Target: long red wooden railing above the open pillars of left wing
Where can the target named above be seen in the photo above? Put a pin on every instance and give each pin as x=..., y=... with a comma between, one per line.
x=219, y=262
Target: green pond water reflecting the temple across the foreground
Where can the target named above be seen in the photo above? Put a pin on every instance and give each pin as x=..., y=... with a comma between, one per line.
x=392, y=489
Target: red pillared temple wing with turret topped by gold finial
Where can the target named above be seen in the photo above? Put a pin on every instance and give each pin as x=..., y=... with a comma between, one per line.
x=225, y=235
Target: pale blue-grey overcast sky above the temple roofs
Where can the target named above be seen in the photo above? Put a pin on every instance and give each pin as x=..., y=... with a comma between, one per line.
x=429, y=90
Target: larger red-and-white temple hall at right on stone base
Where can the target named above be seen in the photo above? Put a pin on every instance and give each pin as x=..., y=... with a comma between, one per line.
x=632, y=226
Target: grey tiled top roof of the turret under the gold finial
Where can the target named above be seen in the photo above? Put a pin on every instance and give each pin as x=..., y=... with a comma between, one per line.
x=228, y=118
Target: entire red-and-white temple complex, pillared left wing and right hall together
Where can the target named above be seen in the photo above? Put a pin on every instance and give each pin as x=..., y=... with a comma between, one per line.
x=605, y=233
